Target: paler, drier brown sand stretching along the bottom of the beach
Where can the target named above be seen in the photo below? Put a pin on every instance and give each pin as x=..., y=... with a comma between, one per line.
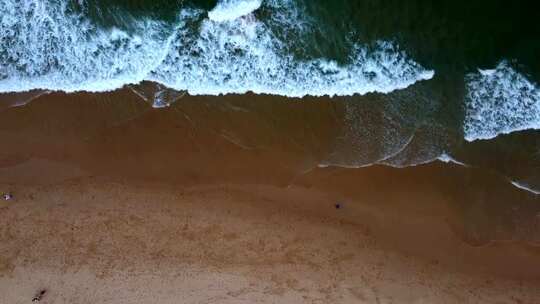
x=85, y=241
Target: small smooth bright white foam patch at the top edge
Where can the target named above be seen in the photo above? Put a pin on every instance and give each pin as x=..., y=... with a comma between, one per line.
x=227, y=10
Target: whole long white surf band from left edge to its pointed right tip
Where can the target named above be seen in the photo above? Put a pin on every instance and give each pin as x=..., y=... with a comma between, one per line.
x=47, y=45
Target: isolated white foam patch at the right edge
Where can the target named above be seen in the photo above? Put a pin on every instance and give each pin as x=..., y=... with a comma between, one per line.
x=500, y=101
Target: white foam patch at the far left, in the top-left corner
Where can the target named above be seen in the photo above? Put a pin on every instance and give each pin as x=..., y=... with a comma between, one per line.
x=46, y=45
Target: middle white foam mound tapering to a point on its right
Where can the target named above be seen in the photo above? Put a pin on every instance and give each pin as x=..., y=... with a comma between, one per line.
x=242, y=55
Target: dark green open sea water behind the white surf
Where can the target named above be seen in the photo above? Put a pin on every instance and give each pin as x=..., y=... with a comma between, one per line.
x=459, y=35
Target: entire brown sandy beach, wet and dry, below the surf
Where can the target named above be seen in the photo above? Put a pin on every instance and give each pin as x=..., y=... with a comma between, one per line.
x=205, y=202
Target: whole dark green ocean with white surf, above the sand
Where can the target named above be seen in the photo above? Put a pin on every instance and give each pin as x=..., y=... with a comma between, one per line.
x=411, y=82
